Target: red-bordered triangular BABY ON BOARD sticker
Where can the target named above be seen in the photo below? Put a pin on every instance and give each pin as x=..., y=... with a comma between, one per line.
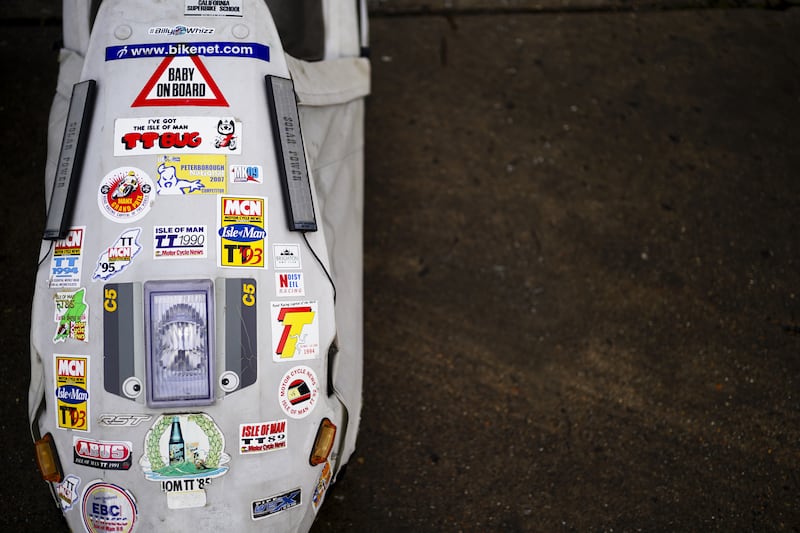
x=180, y=80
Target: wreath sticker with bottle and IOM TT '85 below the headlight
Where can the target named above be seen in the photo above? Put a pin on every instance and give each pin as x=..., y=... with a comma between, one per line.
x=184, y=453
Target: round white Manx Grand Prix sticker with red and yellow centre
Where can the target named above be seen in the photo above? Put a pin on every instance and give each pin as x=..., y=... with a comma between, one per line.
x=125, y=194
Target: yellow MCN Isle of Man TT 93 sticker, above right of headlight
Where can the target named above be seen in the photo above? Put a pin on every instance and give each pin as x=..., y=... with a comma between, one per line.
x=243, y=232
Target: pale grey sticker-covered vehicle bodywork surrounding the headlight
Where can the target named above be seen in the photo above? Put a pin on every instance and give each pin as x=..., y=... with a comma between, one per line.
x=108, y=354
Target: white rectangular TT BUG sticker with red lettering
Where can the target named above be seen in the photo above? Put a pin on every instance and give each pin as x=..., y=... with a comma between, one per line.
x=173, y=135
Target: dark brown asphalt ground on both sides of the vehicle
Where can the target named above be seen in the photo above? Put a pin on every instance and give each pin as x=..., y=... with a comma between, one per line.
x=582, y=274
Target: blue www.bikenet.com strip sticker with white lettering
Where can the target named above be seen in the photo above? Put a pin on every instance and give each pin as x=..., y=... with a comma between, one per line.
x=206, y=49
